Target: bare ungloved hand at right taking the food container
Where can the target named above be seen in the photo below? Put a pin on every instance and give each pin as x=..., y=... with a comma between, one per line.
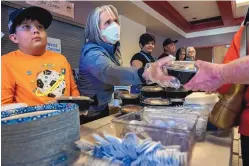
x=207, y=78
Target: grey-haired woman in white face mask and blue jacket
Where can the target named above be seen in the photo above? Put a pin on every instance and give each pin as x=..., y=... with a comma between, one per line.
x=100, y=65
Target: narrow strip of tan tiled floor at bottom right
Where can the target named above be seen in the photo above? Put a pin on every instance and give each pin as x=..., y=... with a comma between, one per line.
x=236, y=159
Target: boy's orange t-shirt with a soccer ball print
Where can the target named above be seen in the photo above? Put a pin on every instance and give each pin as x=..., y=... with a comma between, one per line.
x=35, y=80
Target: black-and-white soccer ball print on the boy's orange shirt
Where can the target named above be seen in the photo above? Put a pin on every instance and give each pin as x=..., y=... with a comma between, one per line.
x=50, y=83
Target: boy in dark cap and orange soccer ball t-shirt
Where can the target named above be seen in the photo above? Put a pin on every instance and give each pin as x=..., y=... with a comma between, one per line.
x=31, y=74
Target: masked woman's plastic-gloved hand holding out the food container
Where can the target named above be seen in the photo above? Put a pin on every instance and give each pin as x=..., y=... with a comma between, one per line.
x=154, y=73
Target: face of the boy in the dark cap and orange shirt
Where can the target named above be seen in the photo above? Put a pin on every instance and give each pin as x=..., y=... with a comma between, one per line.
x=30, y=36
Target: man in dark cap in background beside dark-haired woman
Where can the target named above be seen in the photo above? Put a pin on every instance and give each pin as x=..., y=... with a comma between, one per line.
x=169, y=48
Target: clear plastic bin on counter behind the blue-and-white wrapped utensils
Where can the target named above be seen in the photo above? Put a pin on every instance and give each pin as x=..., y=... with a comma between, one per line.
x=169, y=130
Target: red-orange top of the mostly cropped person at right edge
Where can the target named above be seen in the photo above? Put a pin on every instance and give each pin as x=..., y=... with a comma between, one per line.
x=233, y=53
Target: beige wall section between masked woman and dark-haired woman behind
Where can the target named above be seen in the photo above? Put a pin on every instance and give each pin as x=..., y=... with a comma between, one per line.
x=129, y=39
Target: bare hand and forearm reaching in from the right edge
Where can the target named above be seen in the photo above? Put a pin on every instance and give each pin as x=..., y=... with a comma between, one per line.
x=211, y=76
